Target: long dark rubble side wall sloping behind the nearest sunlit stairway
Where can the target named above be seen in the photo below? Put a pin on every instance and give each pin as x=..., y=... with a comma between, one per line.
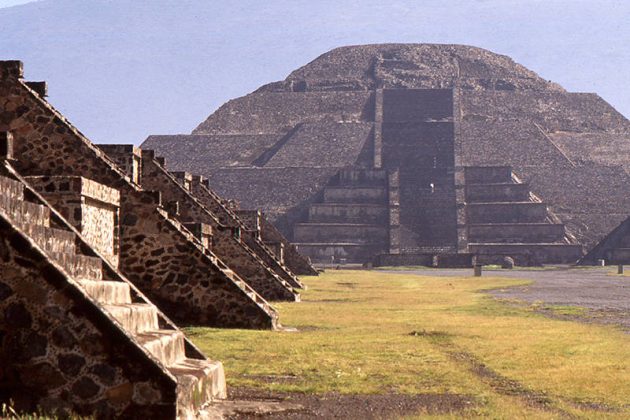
x=46, y=144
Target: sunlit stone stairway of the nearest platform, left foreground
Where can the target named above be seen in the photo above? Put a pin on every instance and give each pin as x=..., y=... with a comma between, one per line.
x=198, y=380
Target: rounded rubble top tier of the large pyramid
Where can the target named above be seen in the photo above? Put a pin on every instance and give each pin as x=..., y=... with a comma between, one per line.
x=411, y=66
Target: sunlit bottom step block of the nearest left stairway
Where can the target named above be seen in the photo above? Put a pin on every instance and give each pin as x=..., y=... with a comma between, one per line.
x=199, y=381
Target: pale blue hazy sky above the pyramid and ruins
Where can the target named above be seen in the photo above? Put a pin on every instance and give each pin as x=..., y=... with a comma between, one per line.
x=121, y=69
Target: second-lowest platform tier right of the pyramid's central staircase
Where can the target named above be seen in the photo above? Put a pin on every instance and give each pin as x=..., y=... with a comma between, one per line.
x=516, y=232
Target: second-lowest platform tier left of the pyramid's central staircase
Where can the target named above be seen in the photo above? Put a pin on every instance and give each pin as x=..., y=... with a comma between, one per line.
x=339, y=232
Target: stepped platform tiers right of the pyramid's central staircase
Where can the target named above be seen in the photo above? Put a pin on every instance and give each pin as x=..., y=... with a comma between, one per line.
x=505, y=219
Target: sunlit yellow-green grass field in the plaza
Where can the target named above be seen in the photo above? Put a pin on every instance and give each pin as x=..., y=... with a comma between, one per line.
x=363, y=332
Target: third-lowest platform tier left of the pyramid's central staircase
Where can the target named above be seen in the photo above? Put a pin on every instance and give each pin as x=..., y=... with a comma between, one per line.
x=347, y=213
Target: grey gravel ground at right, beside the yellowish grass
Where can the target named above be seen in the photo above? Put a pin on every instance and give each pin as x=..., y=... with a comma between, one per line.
x=604, y=294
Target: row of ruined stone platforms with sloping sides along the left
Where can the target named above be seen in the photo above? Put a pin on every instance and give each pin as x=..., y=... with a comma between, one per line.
x=87, y=251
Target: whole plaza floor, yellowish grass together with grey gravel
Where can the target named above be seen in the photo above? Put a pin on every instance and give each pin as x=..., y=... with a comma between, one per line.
x=438, y=344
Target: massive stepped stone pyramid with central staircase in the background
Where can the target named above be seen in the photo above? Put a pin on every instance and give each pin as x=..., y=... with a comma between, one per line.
x=415, y=148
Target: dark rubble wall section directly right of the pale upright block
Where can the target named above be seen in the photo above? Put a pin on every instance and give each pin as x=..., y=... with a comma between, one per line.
x=181, y=276
